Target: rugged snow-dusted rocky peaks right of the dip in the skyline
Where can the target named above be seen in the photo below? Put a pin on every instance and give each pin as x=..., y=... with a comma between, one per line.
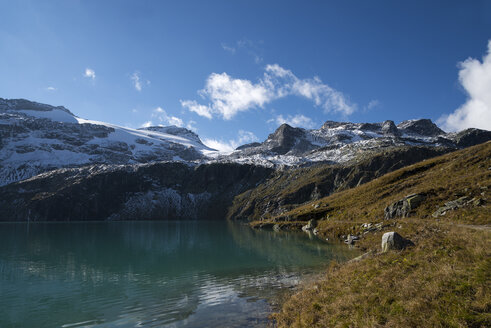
x=339, y=142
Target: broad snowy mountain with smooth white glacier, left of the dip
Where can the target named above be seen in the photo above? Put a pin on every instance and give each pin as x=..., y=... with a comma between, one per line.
x=36, y=137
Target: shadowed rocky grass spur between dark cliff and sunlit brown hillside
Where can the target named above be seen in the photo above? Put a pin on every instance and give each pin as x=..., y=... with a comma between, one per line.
x=287, y=189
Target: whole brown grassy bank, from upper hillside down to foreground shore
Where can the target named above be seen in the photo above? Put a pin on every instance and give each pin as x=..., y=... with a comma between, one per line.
x=442, y=281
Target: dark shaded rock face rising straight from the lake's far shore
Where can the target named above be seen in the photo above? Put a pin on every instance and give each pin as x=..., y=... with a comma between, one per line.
x=129, y=192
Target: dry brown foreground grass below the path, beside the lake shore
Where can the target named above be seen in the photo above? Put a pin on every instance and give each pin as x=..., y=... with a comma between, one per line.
x=441, y=282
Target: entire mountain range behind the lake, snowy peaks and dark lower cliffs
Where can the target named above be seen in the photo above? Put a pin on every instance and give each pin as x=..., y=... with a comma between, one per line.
x=57, y=166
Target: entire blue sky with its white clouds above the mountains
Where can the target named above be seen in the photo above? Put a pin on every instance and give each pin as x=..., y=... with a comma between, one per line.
x=234, y=70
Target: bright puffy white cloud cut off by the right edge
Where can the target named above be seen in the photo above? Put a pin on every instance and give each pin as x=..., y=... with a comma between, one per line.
x=475, y=77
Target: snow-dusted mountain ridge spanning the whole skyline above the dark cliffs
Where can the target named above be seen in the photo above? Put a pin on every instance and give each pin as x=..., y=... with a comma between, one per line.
x=36, y=138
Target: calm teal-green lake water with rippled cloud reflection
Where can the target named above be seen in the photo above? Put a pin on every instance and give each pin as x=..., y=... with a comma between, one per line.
x=150, y=274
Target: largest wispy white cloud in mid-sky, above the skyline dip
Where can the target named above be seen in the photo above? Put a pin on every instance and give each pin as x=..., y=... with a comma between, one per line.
x=229, y=96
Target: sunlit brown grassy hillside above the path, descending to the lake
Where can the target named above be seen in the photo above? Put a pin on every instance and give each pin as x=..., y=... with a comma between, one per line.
x=442, y=179
